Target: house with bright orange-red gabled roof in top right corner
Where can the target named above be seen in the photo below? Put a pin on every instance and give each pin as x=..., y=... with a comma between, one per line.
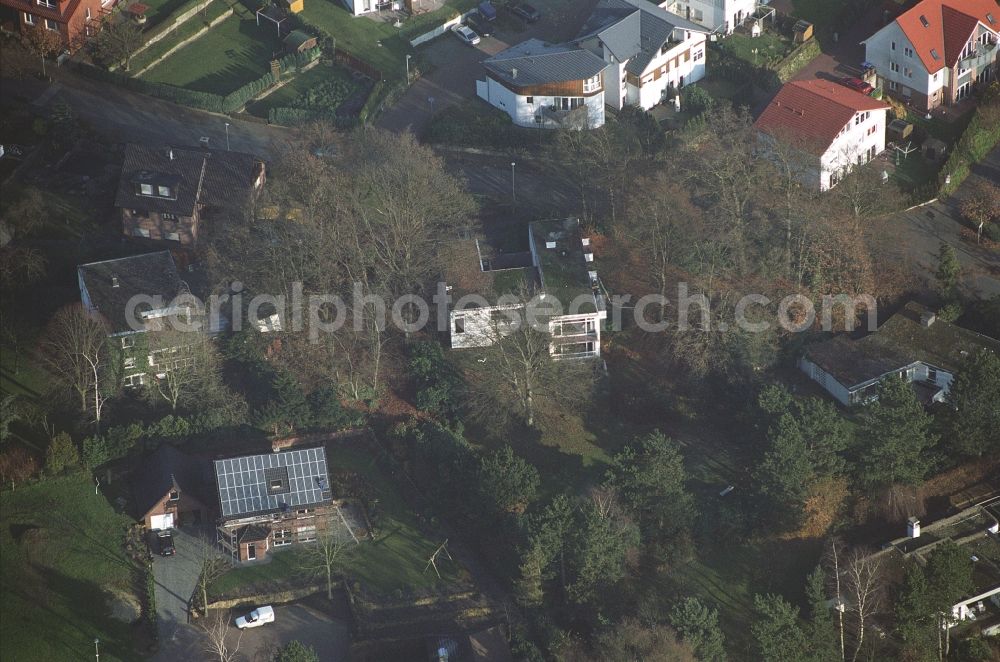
x=938, y=52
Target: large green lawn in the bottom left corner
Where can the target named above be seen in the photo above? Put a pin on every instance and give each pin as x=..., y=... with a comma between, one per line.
x=62, y=552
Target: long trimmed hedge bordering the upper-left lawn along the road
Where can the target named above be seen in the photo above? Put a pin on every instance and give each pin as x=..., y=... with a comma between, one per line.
x=202, y=100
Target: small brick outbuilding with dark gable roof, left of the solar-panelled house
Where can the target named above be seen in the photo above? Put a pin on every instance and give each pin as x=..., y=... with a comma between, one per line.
x=171, y=489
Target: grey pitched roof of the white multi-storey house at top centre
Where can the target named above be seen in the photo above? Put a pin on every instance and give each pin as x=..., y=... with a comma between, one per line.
x=633, y=30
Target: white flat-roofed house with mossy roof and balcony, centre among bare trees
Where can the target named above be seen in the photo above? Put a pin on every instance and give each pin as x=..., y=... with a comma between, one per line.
x=555, y=277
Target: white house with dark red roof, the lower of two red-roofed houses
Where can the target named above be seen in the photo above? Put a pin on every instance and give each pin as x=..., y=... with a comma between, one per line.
x=833, y=127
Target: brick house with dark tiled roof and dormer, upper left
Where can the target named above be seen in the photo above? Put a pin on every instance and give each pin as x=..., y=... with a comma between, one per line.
x=165, y=193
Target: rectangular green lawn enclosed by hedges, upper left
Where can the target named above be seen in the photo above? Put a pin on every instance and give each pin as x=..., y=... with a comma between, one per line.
x=224, y=59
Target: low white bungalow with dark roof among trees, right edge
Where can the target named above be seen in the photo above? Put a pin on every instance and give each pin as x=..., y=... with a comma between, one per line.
x=913, y=344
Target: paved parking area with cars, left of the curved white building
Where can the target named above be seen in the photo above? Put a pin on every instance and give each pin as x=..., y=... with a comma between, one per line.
x=456, y=66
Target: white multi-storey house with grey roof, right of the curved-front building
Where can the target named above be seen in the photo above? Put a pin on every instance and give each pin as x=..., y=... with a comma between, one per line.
x=649, y=51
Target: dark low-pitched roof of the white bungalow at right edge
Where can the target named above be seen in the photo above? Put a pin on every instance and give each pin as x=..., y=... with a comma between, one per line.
x=902, y=340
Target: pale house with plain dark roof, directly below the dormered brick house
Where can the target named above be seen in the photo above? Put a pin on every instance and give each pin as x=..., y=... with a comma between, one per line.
x=146, y=288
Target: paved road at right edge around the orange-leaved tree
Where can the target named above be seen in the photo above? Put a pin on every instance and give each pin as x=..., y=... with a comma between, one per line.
x=915, y=237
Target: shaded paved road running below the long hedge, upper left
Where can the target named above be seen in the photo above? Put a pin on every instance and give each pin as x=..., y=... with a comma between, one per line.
x=126, y=116
